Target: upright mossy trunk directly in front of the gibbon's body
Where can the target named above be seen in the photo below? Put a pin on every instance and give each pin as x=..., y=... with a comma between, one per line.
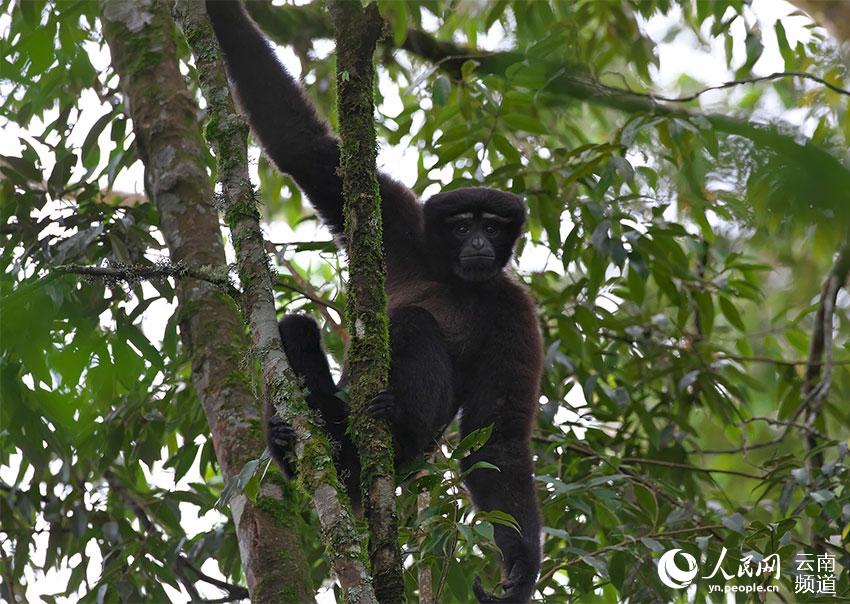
x=357, y=32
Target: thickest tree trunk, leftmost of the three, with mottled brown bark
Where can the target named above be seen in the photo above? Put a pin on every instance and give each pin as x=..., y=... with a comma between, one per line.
x=140, y=36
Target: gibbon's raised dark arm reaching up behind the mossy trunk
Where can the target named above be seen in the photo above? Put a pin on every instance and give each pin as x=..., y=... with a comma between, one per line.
x=292, y=134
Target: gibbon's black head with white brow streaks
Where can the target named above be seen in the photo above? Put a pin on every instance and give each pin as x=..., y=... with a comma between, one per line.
x=471, y=232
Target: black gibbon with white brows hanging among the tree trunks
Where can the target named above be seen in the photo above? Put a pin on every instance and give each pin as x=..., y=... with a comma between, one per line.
x=463, y=334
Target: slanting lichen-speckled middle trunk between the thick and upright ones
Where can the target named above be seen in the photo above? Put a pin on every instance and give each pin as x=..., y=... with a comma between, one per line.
x=228, y=132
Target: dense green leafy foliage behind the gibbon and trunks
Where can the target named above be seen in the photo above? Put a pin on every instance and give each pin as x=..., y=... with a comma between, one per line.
x=677, y=261
